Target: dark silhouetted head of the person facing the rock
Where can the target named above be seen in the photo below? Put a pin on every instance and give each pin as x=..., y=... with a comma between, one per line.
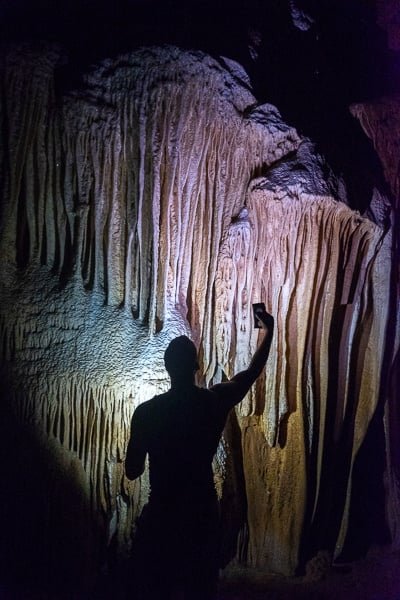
x=181, y=358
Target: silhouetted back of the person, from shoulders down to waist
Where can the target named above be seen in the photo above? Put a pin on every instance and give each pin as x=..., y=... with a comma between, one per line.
x=184, y=427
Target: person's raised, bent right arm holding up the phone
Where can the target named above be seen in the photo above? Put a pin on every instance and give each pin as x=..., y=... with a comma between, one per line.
x=235, y=390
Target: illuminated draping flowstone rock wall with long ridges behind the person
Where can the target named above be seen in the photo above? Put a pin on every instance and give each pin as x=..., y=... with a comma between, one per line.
x=159, y=199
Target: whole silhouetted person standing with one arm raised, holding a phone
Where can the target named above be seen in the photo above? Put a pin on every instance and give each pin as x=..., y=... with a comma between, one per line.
x=177, y=539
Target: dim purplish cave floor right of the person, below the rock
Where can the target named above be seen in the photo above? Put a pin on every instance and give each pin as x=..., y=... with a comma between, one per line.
x=376, y=577
